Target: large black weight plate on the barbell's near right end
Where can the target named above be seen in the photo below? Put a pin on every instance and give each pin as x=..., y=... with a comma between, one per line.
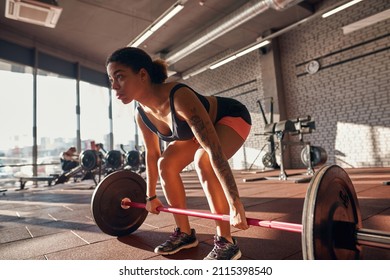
x=331, y=216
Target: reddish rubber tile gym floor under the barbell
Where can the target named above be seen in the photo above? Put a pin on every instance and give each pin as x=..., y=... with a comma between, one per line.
x=55, y=223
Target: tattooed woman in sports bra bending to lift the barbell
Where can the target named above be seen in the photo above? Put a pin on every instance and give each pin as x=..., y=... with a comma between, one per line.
x=204, y=129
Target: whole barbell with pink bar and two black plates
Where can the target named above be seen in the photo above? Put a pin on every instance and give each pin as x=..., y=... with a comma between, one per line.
x=331, y=221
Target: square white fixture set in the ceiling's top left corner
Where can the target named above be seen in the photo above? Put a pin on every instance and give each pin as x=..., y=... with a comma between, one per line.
x=32, y=11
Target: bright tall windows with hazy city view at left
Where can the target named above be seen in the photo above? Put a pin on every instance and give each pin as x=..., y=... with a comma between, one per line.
x=56, y=117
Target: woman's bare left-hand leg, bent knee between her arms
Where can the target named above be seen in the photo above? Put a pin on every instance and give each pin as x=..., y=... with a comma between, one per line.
x=174, y=159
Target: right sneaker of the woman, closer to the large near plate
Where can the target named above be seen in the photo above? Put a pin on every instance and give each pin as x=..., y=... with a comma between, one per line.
x=224, y=250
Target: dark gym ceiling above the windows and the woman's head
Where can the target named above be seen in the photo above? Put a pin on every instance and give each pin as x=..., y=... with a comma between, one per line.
x=92, y=29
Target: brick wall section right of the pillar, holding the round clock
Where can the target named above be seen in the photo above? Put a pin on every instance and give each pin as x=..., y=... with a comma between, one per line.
x=350, y=100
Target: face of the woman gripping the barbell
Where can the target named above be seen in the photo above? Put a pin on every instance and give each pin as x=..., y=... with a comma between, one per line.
x=124, y=81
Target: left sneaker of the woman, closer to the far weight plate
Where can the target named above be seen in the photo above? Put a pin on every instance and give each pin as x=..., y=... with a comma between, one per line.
x=177, y=241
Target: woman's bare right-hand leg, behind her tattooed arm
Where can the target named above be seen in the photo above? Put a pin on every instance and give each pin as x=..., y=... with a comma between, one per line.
x=231, y=142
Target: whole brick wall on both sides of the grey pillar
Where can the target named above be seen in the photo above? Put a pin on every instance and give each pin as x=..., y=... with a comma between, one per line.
x=349, y=97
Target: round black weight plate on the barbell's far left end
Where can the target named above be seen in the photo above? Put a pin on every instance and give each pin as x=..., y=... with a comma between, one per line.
x=106, y=208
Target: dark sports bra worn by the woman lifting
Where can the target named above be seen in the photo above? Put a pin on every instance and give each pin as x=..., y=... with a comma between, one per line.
x=181, y=130
